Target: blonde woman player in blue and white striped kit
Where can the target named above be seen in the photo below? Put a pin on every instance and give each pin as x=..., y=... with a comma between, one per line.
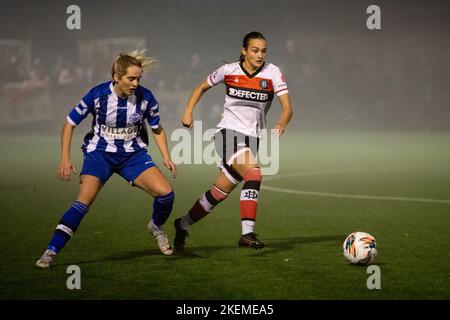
x=116, y=144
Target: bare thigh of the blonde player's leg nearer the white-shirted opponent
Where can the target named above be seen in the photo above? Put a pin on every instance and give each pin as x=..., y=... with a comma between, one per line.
x=153, y=182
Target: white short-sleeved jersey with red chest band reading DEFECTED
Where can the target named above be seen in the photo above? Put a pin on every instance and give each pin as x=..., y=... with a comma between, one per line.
x=248, y=96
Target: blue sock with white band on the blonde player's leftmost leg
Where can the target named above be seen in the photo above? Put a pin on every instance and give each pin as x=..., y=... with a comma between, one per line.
x=67, y=226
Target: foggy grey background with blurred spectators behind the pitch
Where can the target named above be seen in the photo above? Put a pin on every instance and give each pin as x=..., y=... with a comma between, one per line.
x=341, y=76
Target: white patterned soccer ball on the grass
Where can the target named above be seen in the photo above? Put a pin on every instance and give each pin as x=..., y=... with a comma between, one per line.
x=360, y=248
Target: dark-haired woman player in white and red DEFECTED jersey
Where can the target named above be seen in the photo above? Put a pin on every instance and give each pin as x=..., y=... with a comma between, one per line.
x=250, y=86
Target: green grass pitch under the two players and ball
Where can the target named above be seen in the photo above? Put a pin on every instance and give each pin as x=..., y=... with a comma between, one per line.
x=304, y=222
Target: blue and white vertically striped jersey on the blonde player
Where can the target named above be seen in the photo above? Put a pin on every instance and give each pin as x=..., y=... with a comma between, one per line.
x=118, y=124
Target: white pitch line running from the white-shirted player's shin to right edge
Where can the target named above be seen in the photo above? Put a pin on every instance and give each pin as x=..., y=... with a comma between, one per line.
x=352, y=196
